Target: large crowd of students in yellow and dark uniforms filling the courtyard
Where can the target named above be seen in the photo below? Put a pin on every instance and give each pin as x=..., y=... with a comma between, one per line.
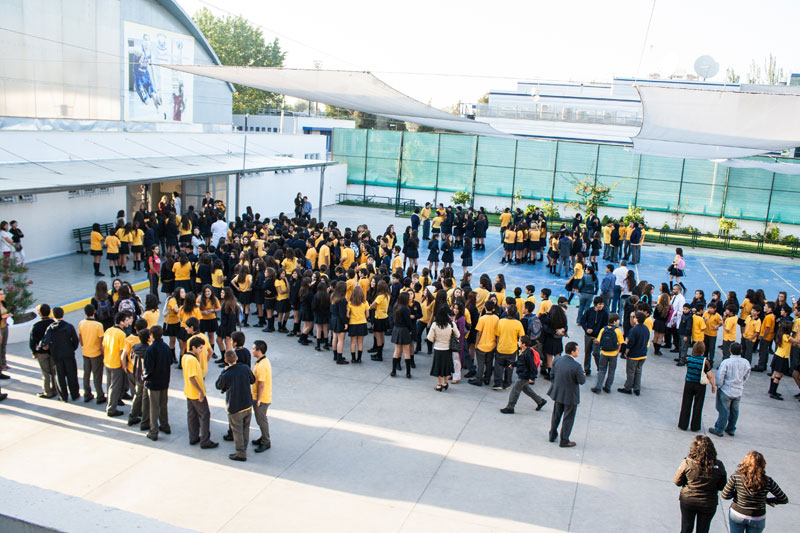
x=339, y=286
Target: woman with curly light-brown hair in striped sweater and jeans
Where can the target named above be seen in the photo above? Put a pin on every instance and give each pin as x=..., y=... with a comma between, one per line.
x=748, y=488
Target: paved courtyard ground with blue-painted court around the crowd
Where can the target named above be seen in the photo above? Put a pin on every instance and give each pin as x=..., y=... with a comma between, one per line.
x=356, y=450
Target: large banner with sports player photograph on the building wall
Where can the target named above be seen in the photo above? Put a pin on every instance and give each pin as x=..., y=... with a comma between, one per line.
x=154, y=94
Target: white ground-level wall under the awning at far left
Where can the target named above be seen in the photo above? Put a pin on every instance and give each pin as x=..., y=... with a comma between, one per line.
x=48, y=221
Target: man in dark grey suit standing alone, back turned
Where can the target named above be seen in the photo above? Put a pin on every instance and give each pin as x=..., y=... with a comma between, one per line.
x=565, y=391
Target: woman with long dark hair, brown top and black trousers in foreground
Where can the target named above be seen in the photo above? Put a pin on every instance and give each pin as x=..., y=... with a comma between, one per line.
x=701, y=476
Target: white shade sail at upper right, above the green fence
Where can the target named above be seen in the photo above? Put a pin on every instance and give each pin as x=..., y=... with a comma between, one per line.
x=708, y=124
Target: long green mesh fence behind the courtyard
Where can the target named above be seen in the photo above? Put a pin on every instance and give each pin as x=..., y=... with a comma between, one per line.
x=548, y=170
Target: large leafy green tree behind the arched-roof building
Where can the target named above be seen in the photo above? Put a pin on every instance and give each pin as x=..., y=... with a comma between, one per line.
x=239, y=43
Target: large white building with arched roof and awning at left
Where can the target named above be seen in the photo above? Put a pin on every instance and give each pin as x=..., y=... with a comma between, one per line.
x=90, y=124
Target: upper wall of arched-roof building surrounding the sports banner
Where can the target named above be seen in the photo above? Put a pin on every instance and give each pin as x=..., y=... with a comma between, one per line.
x=82, y=79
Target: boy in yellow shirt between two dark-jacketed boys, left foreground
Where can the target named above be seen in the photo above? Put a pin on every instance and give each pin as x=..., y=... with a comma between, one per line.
x=199, y=416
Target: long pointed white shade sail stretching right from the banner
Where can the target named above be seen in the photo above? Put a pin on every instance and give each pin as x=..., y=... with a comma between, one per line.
x=360, y=91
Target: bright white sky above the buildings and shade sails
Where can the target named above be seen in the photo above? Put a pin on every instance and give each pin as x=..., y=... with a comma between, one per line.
x=441, y=52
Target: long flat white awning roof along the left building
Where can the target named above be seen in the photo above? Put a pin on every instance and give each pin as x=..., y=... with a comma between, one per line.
x=37, y=161
